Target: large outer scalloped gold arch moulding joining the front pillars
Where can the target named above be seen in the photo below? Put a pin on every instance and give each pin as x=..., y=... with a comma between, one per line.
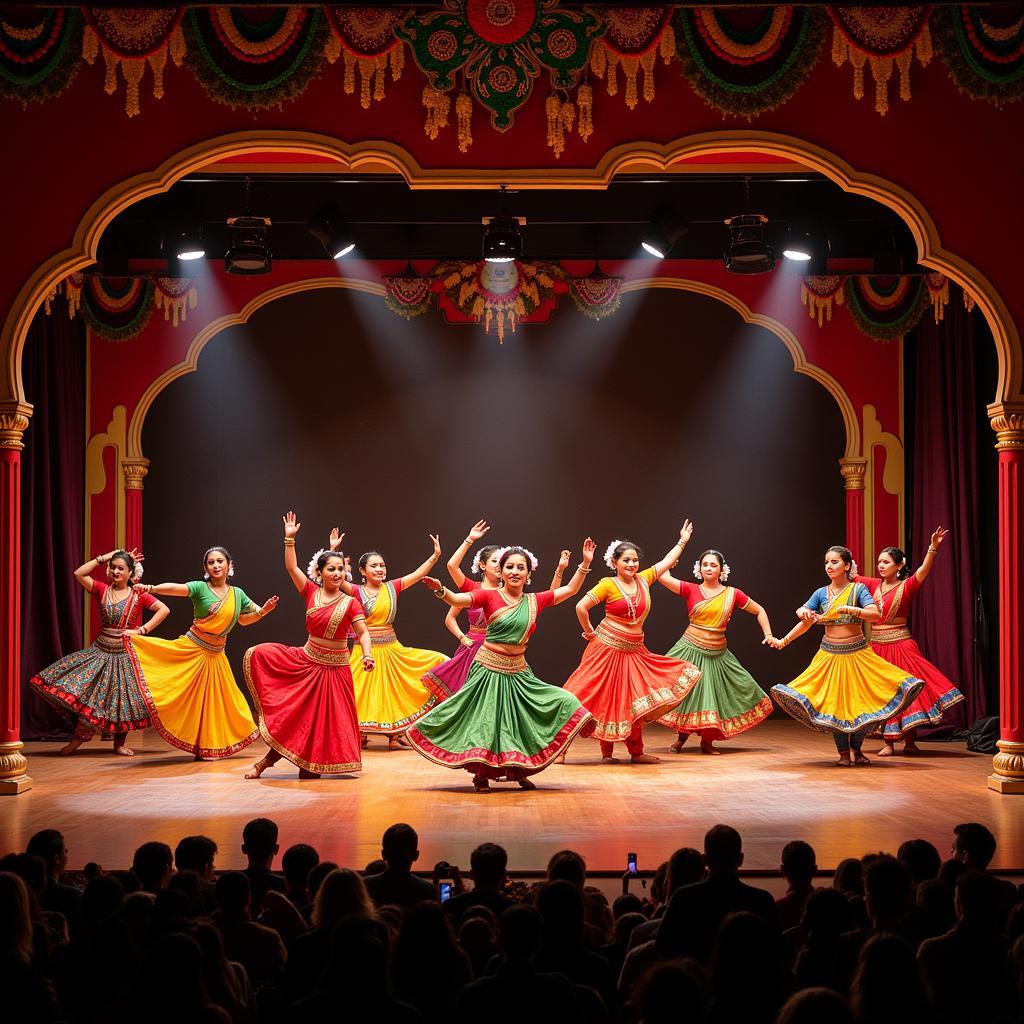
x=630, y=156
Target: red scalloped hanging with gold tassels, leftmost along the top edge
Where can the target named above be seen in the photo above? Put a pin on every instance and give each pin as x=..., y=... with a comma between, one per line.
x=132, y=39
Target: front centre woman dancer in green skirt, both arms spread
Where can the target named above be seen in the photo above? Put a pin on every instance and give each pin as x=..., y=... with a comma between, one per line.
x=505, y=722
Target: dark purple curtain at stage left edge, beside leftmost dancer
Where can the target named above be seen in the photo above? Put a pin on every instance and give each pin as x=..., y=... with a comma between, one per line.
x=53, y=499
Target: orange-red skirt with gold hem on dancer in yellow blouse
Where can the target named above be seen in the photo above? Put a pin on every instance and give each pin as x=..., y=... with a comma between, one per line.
x=622, y=684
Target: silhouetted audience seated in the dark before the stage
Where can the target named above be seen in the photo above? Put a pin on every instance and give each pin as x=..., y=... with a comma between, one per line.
x=889, y=942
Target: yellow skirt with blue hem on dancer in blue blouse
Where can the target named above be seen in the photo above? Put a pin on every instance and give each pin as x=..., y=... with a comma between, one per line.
x=847, y=689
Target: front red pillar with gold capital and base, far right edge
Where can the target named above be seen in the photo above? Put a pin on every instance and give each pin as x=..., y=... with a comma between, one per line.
x=1008, y=765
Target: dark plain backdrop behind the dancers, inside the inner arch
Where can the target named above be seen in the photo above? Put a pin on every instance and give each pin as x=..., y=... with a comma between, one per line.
x=328, y=404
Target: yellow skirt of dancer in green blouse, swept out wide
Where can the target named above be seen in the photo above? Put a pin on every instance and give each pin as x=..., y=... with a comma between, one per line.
x=195, y=703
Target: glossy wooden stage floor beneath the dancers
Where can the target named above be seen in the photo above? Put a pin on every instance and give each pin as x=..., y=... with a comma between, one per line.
x=775, y=784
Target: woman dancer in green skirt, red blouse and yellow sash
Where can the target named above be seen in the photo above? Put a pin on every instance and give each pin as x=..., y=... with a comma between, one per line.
x=728, y=701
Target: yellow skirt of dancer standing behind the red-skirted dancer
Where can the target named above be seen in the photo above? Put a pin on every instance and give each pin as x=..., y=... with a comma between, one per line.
x=393, y=697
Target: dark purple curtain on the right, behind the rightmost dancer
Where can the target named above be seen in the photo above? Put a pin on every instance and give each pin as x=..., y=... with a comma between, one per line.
x=949, y=616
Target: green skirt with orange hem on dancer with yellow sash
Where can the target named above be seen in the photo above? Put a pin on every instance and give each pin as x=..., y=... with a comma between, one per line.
x=726, y=701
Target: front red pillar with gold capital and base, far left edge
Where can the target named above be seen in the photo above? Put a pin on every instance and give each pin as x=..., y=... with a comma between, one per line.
x=14, y=421
